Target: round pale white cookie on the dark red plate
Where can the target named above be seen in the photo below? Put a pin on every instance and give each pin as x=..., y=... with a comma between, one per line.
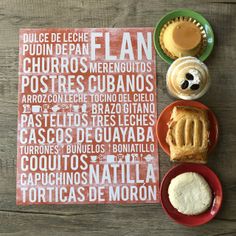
x=190, y=193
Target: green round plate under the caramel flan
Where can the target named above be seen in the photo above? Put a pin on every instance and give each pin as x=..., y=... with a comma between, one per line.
x=187, y=13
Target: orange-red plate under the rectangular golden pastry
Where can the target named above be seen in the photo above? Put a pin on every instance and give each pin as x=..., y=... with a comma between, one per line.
x=162, y=128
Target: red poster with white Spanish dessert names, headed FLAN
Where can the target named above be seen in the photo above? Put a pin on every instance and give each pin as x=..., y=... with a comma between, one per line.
x=86, y=117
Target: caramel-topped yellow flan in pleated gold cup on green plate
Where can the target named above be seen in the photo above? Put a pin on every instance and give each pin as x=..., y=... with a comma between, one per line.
x=182, y=37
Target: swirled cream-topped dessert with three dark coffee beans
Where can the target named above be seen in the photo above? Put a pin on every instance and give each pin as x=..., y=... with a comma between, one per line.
x=187, y=78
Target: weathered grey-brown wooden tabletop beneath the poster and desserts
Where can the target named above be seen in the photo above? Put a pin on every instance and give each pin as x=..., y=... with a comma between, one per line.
x=116, y=219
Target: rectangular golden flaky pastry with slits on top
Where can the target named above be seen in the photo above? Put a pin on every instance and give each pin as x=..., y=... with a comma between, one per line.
x=188, y=133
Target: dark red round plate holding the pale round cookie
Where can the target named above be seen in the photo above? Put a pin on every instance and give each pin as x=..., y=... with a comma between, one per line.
x=213, y=182
